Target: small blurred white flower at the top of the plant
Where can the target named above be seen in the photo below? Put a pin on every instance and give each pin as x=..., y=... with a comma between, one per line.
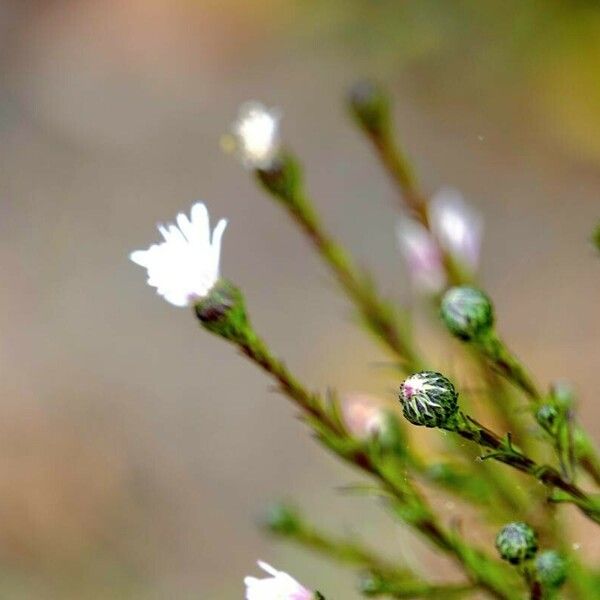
x=256, y=133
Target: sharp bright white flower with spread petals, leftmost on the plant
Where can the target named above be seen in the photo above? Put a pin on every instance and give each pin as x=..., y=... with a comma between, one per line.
x=185, y=266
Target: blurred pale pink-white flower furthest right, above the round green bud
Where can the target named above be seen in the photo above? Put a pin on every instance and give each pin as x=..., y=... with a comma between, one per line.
x=457, y=226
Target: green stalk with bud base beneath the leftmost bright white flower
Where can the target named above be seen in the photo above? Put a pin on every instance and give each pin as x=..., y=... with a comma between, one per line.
x=325, y=420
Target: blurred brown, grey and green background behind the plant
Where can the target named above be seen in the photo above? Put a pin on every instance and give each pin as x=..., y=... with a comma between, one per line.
x=136, y=452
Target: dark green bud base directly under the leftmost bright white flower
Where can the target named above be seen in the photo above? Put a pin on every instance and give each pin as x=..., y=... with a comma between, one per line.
x=223, y=311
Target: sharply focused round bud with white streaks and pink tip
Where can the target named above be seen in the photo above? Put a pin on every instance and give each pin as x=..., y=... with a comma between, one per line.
x=429, y=399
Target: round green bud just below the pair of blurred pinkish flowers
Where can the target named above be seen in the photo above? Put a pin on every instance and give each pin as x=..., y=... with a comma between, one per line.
x=467, y=312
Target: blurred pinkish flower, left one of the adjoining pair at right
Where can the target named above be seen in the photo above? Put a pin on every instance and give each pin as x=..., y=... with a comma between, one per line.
x=422, y=255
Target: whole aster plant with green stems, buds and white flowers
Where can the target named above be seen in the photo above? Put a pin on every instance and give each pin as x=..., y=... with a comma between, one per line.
x=524, y=474
